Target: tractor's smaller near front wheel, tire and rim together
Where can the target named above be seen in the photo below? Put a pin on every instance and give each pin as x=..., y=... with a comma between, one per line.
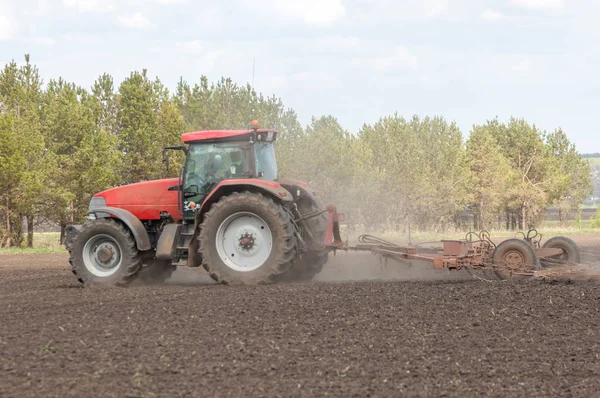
x=104, y=253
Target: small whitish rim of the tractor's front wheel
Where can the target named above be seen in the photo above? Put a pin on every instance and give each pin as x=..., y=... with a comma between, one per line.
x=102, y=255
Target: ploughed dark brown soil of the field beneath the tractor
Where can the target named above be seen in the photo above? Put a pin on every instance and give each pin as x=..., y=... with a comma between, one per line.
x=194, y=338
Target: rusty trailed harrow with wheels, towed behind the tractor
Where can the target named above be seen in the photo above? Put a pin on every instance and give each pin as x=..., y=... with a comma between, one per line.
x=522, y=256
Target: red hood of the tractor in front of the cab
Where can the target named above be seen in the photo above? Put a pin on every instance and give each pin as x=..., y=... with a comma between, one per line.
x=145, y=200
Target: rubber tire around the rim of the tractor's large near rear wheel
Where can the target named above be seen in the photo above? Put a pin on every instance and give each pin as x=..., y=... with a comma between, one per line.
x=283, y=249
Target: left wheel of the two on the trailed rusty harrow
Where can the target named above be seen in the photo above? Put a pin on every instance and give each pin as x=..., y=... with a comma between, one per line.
x=513, y=256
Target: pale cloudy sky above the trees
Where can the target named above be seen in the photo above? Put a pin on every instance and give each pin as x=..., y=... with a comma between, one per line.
x=358, y=60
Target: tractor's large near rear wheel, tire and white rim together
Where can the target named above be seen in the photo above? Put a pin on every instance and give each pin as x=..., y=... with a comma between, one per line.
x=247, y=238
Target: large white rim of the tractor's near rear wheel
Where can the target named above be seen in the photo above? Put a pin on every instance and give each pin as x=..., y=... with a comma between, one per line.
x=244, y=241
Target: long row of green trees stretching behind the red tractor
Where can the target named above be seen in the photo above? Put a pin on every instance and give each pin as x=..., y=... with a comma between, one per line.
x=60, y=143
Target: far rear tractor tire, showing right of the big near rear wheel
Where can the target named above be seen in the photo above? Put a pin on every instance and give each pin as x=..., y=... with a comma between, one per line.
x=311, y=263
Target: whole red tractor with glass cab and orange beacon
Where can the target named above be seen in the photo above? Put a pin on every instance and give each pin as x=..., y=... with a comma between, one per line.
x=228, y=211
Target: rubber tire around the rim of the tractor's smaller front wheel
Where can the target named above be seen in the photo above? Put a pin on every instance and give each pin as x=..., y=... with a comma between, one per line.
x=130, y=257
